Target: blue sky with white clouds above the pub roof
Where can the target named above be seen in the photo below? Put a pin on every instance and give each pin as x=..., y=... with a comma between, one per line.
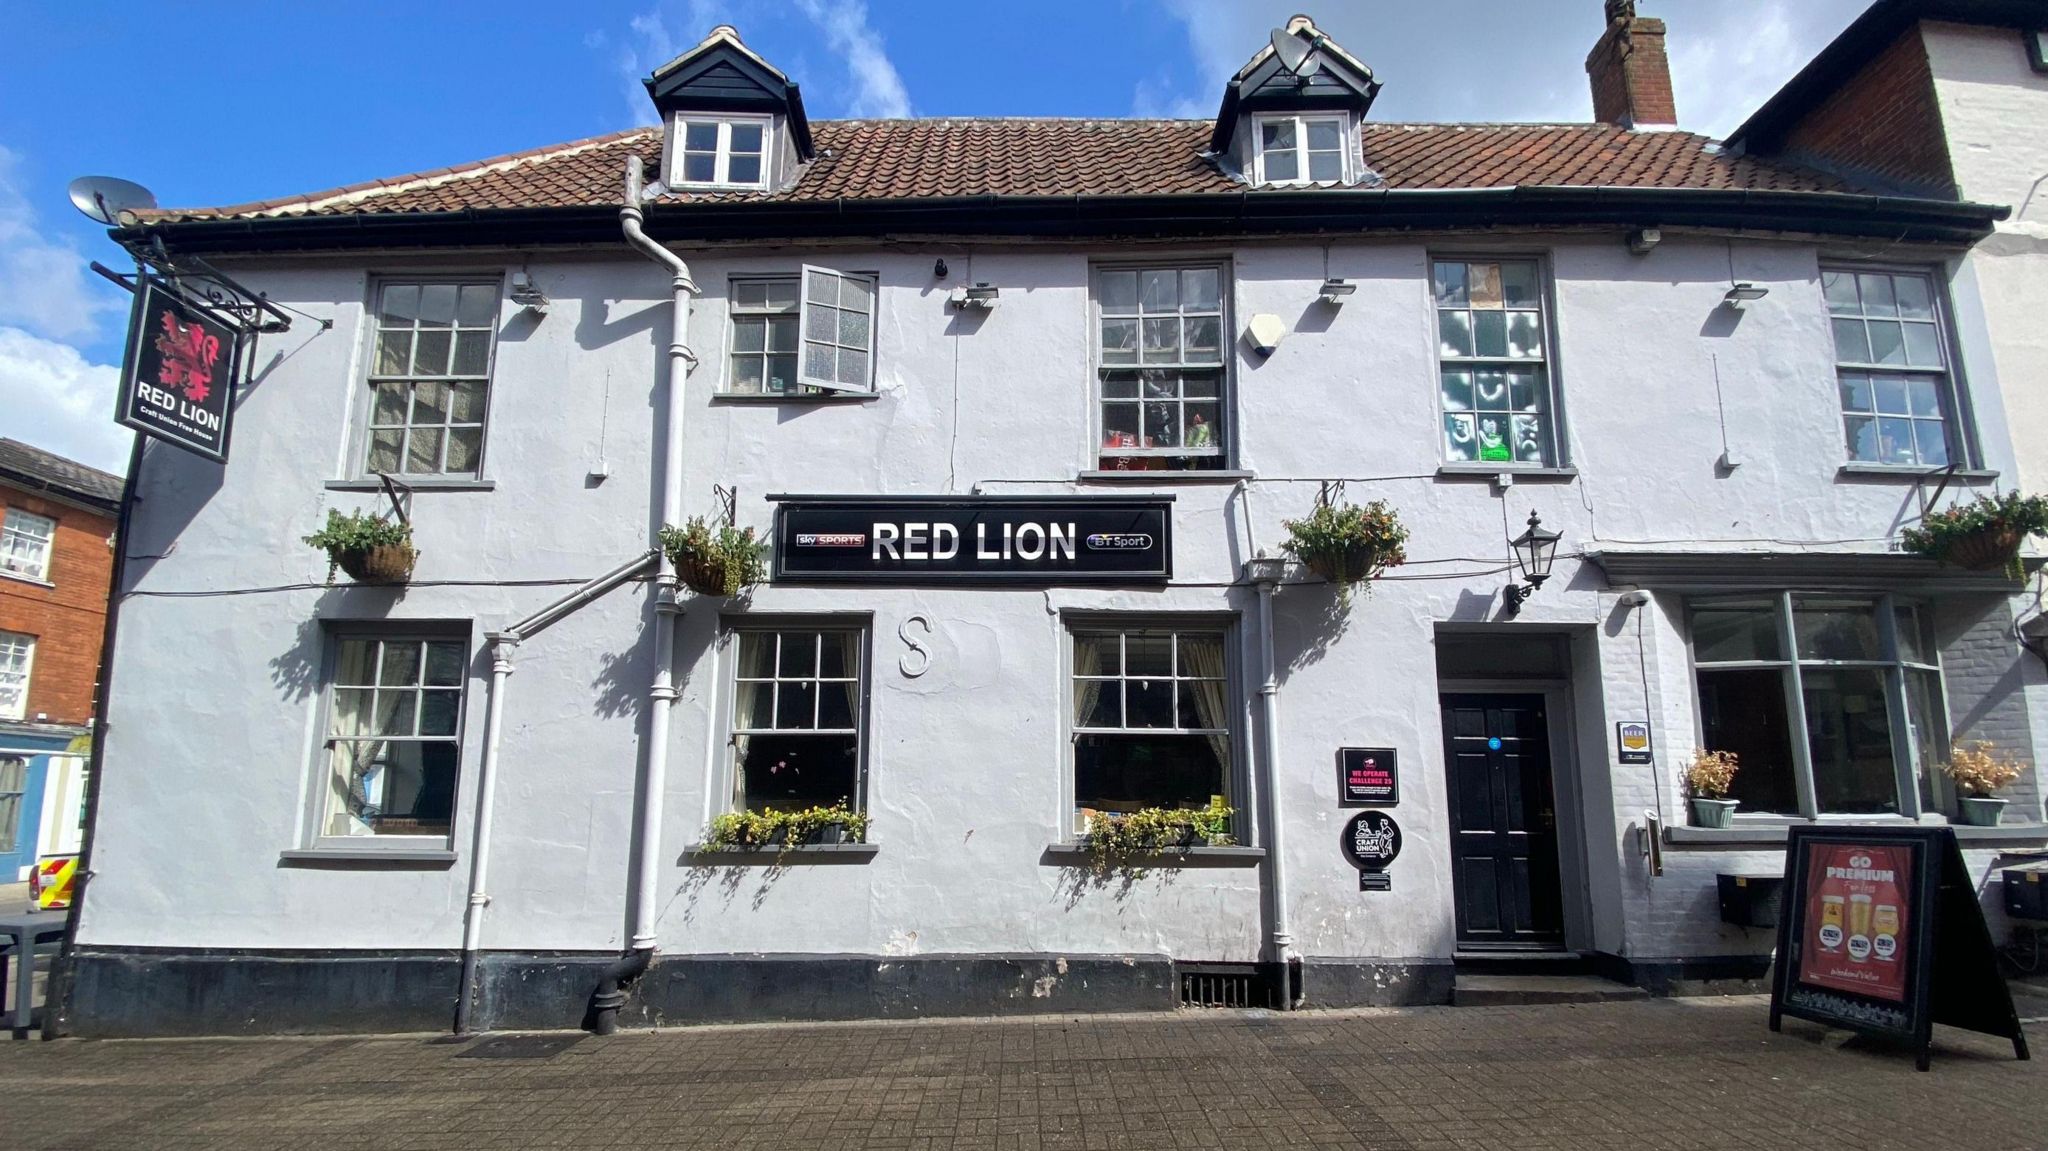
x=230, y=103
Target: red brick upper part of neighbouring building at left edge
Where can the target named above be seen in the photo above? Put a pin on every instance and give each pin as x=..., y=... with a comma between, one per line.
x=56, y=562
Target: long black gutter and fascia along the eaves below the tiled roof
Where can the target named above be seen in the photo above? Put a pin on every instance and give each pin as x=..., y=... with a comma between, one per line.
x=1072, y=216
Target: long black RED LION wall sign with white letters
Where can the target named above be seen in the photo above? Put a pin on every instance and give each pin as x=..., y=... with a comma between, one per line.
x=943, y=540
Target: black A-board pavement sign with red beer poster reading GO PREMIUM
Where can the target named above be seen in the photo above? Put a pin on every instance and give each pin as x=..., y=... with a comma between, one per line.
x=1881, y=933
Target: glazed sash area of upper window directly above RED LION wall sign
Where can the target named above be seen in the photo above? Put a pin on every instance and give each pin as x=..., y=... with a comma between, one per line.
x=1160, y=364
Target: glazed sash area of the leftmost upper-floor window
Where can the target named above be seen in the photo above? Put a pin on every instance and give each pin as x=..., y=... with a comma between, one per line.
x=431, y=374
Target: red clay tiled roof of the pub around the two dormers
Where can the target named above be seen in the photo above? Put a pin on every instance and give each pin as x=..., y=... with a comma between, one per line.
x=1060, y=159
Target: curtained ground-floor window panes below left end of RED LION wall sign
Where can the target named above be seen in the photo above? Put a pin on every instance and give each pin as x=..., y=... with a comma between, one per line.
x=798, y=720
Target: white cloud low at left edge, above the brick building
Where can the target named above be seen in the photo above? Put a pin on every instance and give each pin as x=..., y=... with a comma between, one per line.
x=56, y=400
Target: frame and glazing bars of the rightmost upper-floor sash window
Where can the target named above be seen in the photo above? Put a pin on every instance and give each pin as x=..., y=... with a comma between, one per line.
x=1957, y=439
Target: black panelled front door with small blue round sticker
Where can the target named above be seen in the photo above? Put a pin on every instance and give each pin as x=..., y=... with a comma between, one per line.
x=1502, y=822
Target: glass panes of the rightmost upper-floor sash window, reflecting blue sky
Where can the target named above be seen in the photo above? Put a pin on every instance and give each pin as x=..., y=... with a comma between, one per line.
x=1891, y=366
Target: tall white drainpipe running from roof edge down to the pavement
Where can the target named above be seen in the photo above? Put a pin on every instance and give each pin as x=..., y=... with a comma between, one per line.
x=609, y=996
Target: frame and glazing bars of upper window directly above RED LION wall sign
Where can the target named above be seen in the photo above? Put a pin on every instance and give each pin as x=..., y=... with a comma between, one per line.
x=1226, y=439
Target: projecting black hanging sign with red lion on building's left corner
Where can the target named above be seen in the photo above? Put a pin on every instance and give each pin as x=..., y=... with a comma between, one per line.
x=179, y=374
